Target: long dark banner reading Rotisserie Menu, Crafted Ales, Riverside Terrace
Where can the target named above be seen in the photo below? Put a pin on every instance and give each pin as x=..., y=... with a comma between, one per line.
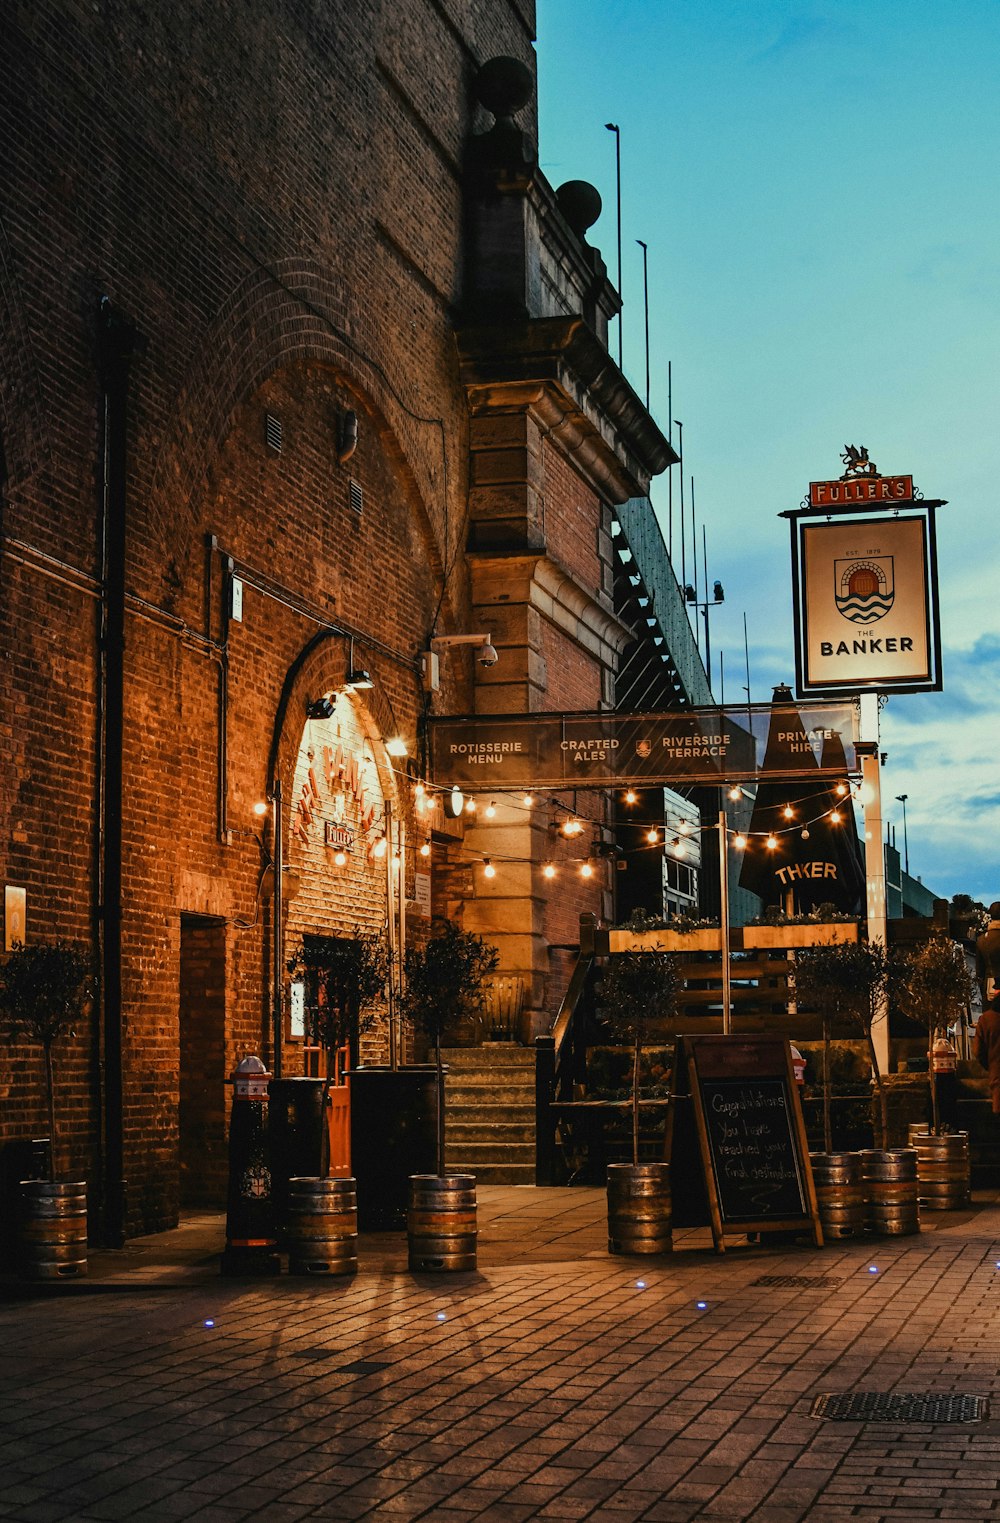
x=701, y=746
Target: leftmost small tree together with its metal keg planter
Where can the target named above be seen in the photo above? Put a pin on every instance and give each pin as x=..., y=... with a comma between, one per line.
x=45, y=991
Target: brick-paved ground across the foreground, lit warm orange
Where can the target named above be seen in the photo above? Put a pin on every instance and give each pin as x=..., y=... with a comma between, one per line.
x=546, y=1385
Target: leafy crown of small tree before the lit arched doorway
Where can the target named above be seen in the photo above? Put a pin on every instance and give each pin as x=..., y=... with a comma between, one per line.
x=345, y=980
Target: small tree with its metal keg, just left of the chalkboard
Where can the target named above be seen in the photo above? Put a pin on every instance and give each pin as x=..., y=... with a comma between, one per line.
x=639, y=991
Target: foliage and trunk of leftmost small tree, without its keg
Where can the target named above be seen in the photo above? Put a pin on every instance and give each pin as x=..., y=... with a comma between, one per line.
x=43, y=994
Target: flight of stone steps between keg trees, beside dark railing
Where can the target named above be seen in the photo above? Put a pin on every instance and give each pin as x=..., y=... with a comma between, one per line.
x=489, y=1113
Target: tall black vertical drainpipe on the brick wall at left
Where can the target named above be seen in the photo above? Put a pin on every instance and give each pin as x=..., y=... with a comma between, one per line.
x=116, y=345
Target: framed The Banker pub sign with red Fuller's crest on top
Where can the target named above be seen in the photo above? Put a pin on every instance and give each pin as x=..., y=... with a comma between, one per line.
x=865, y=586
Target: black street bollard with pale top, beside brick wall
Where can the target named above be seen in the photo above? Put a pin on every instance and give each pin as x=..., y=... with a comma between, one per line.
x=250, y=1239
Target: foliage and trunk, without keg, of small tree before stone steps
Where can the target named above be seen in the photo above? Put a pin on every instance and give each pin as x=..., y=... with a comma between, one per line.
x=445, y=982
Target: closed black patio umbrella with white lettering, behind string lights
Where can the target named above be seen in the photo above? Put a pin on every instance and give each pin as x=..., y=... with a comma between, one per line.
x=817, y=857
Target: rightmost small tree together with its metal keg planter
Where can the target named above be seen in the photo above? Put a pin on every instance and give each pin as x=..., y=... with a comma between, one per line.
x=935, y=989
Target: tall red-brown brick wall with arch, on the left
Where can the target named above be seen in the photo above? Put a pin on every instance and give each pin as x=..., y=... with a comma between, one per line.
x=275, y=202
